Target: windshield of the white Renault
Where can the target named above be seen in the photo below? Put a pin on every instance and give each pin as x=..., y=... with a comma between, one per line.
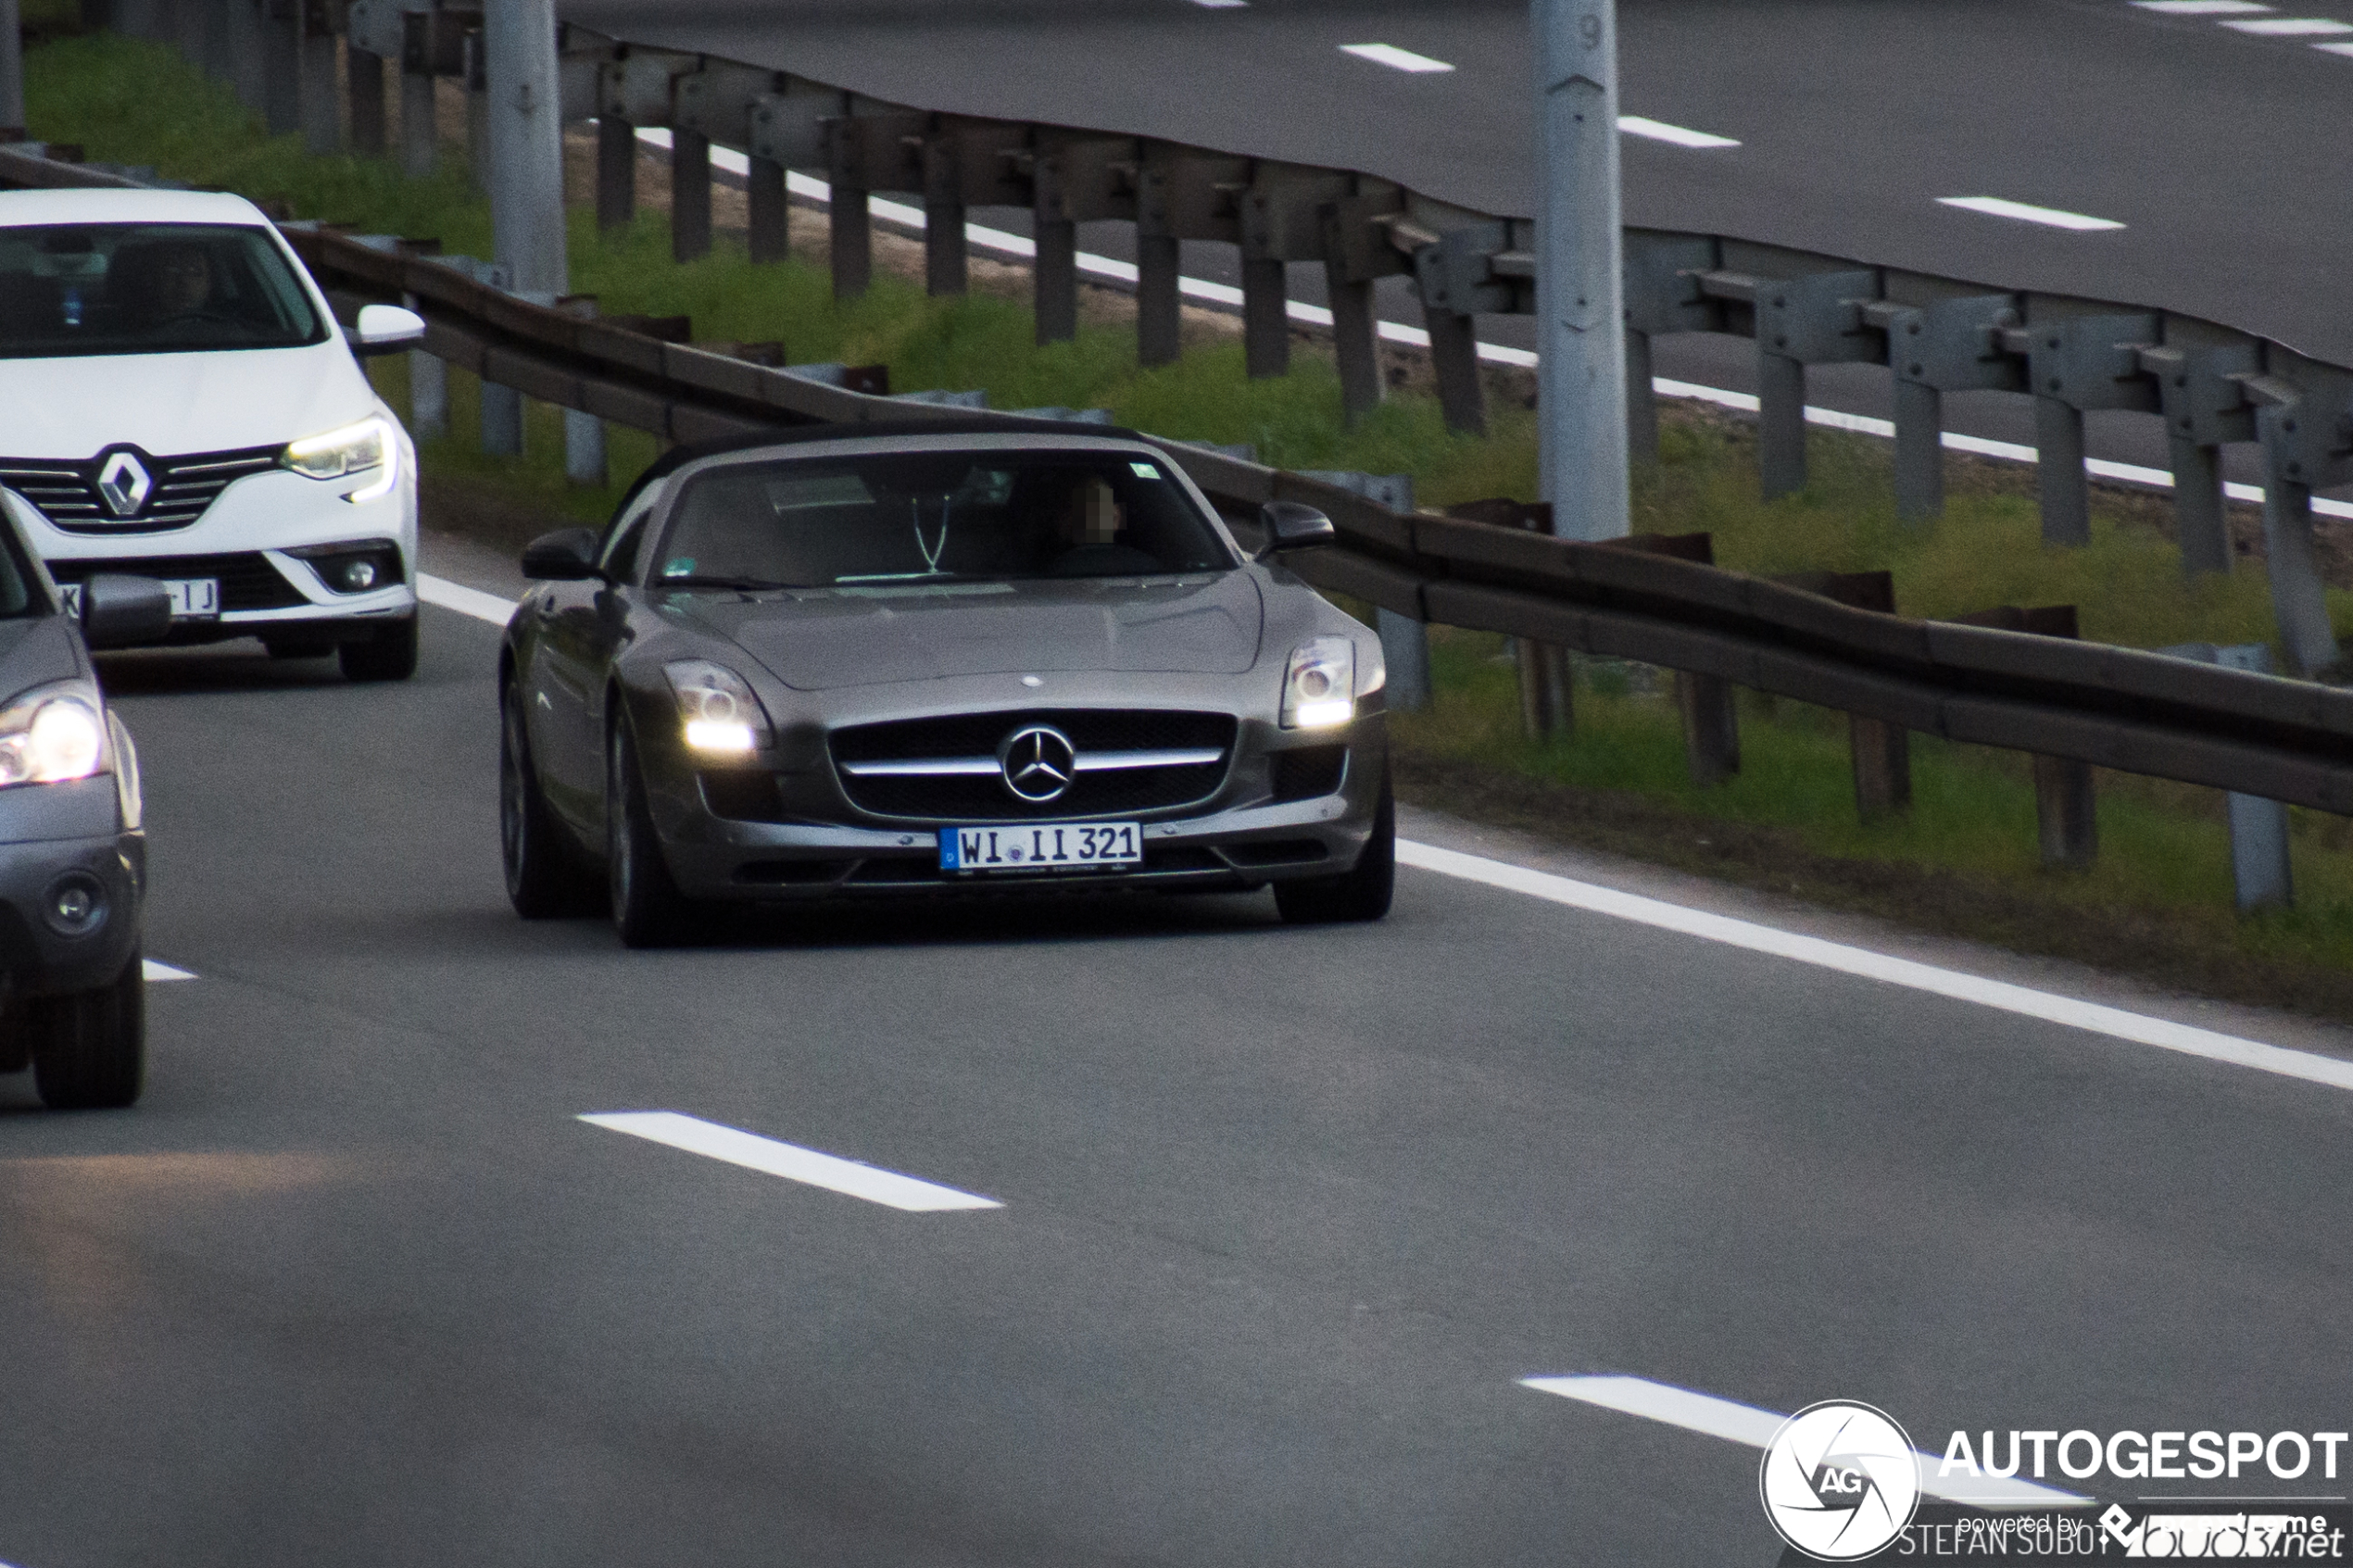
x=147, y=288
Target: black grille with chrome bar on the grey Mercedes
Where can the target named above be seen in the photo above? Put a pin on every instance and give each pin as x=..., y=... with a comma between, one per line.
x=947, y=770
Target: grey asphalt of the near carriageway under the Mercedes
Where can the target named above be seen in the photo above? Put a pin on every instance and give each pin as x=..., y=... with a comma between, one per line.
x=1284, y=1217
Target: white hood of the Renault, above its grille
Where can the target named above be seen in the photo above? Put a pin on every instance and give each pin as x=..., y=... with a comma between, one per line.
x=168, y=406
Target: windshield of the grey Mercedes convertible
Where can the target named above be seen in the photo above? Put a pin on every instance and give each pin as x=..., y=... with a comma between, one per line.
x=935, y=516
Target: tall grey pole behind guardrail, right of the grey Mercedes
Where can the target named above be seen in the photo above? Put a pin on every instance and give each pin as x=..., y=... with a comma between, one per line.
x=1580, y=272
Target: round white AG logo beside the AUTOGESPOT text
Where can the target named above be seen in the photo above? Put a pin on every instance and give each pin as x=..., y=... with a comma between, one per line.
x=1839, y=1480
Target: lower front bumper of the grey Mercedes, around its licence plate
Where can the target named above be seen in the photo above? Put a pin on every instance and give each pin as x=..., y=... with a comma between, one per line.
x=1237, y=840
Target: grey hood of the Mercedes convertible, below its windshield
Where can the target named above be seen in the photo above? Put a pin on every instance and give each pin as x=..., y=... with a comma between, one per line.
x=818, y=641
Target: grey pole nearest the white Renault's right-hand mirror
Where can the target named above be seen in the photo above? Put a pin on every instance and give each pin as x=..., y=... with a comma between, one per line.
x=526, y=145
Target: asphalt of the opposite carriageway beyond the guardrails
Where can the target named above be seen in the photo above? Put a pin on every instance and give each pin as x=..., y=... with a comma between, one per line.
x=2220, y=152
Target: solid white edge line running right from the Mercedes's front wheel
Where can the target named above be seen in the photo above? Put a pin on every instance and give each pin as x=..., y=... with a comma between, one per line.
x=1867, y=965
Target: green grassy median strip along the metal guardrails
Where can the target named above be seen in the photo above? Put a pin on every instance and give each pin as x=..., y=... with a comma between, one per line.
x=1964, y=859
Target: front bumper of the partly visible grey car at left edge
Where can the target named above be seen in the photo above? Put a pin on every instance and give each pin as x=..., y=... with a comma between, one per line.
x=48, y=836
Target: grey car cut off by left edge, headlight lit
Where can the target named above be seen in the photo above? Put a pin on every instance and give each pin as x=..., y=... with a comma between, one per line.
x=72, y=836
